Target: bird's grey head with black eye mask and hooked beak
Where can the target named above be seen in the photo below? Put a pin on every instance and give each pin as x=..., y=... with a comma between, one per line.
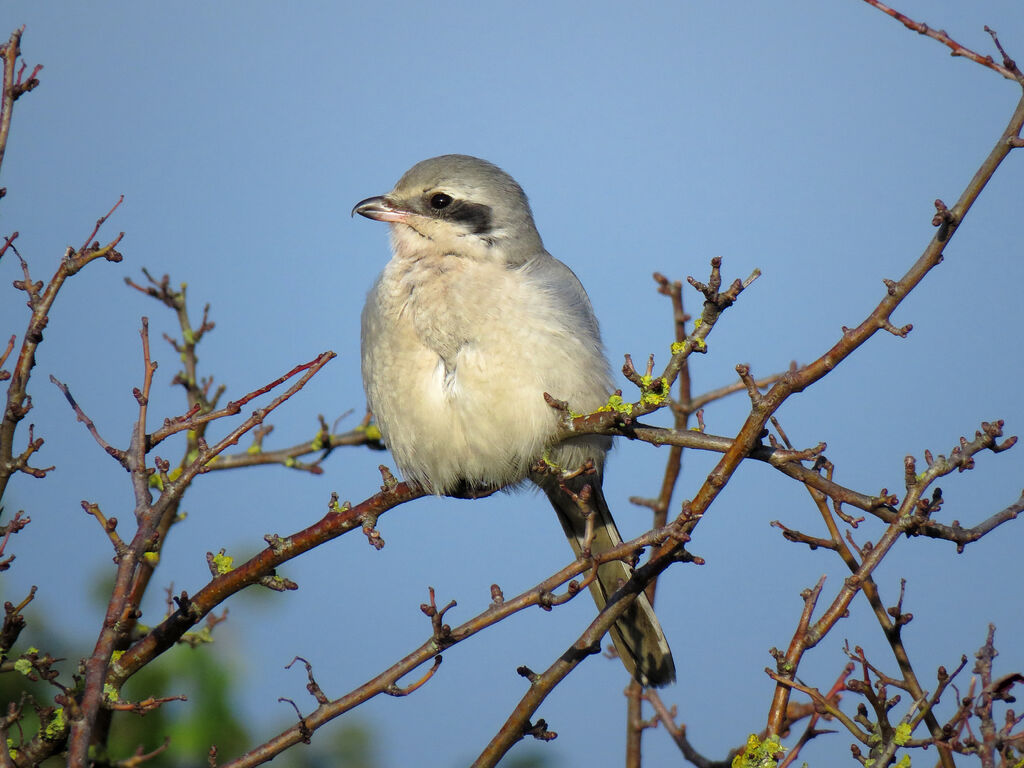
x=460, y=205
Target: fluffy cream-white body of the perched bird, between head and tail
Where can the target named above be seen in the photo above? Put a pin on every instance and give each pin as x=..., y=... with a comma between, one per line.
x=457, y=357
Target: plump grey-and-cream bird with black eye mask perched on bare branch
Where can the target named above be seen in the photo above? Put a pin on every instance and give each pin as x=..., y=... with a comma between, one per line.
x=466, y=329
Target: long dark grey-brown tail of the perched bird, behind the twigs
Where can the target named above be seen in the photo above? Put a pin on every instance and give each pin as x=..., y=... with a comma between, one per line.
x=637, y=635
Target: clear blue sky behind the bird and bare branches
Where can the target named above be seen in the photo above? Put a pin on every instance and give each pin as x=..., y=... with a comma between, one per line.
x=806, y=139
